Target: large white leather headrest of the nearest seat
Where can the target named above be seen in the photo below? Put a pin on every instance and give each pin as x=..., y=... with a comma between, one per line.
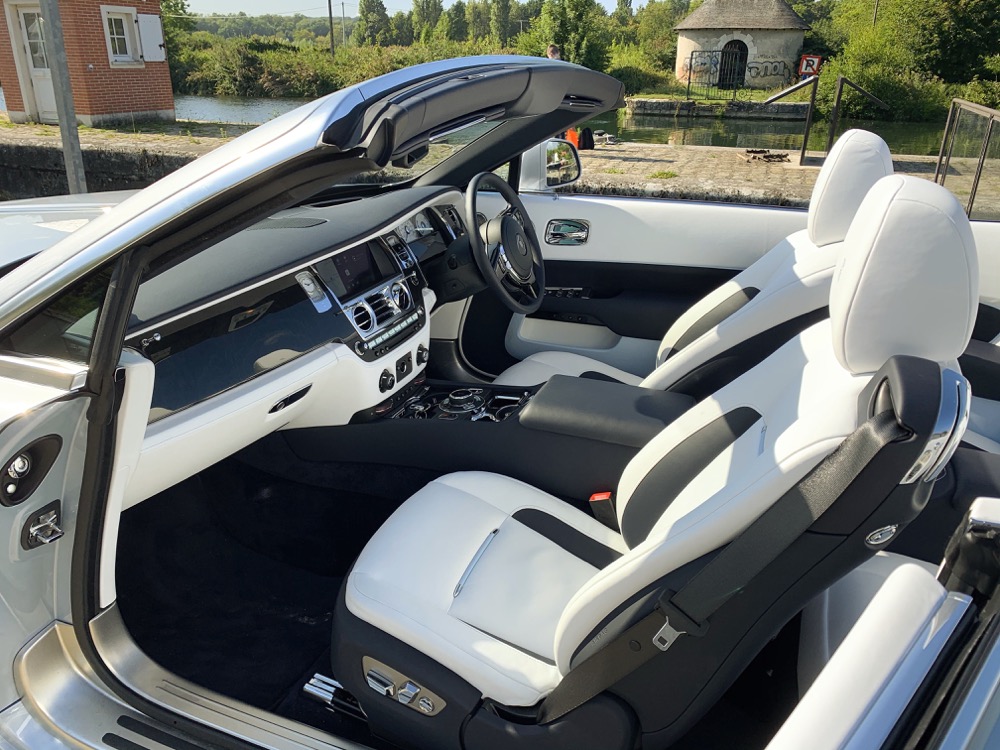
x=908, y=280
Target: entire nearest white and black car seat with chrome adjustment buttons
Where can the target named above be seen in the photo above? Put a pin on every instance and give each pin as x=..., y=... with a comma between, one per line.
x=469, y=613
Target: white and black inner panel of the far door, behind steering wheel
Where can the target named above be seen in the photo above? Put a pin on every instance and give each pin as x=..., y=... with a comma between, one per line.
x=645, y=262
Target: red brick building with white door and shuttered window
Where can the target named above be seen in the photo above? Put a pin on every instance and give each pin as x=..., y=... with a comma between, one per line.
x=117, y=61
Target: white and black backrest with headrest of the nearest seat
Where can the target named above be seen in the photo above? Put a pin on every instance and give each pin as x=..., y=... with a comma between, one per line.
x=907, y=284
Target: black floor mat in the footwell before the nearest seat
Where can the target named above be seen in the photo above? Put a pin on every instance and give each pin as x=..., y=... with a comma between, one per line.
x=213, y=610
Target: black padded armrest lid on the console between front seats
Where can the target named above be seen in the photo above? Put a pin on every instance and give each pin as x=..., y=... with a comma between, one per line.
x=601, y=410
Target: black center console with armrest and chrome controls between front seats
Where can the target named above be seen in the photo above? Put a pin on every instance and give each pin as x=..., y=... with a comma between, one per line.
x=570, y=437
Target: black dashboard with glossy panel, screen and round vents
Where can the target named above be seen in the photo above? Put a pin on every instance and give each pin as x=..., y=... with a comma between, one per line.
x=348, y=274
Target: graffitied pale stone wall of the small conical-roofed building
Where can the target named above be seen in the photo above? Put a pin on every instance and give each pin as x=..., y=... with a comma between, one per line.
x=772, y=59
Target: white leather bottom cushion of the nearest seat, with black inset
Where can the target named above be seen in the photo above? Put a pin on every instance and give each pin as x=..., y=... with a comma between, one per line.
x=497, y=631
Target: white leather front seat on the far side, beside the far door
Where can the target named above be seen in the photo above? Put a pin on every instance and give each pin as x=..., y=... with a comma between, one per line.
x=790, y=280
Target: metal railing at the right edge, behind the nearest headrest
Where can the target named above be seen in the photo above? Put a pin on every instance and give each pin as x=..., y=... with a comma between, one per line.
x=974, y=132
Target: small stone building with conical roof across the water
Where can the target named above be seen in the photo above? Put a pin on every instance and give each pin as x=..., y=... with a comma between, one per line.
x=737, y=43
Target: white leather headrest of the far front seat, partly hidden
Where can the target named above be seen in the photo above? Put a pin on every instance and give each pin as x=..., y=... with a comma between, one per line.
x=857, y=161
